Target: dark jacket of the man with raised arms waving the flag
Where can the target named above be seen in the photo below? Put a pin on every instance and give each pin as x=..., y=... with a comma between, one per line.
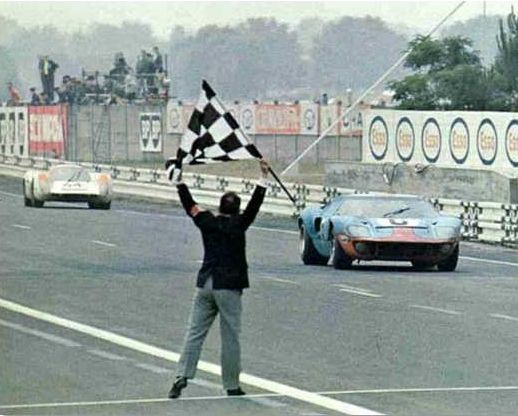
x=223, y=241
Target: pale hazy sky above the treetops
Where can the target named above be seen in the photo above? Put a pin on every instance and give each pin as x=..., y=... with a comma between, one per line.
x=74, y=15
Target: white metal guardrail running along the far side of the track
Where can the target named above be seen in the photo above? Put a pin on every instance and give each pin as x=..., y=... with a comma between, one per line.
x=482, y=221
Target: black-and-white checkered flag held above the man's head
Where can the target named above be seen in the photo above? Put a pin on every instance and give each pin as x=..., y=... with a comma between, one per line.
x=213, y=135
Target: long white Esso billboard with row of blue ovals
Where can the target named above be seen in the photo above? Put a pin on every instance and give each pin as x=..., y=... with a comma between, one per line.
x=450, y=139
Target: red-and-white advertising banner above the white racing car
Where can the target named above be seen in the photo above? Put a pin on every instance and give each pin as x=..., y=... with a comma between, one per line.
x=47, y=130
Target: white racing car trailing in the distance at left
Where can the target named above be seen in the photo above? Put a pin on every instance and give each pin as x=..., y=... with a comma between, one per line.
x=67, y=183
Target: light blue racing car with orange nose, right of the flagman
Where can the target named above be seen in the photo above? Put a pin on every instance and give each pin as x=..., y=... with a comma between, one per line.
x=379, y=227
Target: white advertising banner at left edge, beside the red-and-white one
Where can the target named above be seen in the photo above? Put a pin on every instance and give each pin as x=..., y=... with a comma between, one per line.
x=14, y=131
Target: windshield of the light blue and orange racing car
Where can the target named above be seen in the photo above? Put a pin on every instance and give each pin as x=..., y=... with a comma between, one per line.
x=379, y=207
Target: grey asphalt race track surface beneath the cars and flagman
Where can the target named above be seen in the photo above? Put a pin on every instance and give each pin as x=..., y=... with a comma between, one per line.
x=93, y=307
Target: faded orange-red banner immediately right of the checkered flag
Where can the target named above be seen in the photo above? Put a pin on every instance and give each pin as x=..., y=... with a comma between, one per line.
x=277, y=118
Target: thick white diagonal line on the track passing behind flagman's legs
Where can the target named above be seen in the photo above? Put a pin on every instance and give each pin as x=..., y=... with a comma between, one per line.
x=262, y=383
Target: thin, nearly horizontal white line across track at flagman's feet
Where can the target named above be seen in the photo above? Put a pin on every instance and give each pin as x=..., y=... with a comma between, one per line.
x=256, y=396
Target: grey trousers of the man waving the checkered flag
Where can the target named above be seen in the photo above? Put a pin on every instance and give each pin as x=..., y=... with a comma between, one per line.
x=206, y=305
